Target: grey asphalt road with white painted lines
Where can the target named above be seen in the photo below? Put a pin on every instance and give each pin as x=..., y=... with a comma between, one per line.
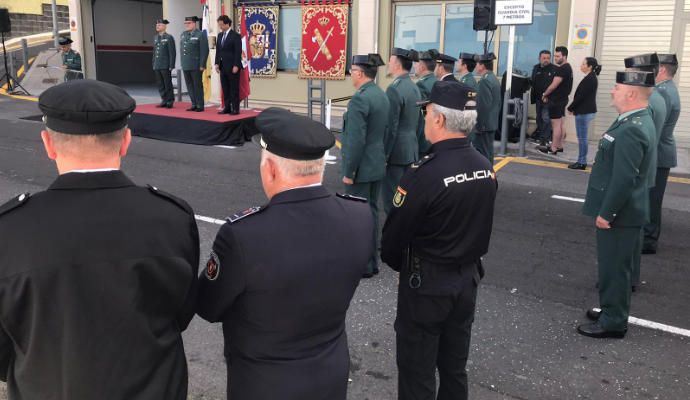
x=540, y=278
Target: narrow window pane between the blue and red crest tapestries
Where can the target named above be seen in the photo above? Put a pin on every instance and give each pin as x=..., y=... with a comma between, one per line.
x=289, y=38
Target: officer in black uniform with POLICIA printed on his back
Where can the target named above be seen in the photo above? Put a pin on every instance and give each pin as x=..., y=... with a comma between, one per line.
x=435, y=235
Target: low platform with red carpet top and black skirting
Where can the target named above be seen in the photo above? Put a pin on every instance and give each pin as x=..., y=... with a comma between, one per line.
x=205, y=128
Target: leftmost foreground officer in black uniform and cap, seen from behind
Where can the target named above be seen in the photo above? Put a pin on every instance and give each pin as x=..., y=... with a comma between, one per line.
x=98, y=276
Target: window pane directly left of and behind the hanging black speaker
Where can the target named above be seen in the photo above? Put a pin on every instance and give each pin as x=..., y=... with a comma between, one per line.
x=459, y=35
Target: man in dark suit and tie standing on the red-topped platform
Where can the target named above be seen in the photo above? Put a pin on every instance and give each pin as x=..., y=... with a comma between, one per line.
x=229, y=64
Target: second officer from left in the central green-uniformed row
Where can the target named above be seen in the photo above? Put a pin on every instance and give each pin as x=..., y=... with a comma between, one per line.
x=400, y=142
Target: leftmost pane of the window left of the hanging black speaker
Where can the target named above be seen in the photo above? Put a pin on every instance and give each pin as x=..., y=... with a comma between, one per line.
x=417, y=27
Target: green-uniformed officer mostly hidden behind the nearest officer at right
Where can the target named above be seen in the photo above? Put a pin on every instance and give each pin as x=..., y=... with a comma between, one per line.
x=657, y=109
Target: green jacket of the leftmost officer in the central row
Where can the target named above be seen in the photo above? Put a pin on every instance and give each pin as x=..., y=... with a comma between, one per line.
x=364, y=127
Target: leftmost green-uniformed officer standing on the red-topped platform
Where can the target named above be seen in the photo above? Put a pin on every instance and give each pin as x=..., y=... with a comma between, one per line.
x=164, y=62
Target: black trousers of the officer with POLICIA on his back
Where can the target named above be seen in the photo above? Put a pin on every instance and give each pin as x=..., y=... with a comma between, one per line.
x=433, y=329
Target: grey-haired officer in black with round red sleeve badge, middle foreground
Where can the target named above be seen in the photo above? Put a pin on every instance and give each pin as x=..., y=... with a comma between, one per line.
x=281, y=277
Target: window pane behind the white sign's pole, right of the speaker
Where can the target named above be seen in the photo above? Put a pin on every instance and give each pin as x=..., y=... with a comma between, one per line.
x=531, y=39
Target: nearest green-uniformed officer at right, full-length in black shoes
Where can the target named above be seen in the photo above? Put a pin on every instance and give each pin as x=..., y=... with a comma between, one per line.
x=618, y=197
